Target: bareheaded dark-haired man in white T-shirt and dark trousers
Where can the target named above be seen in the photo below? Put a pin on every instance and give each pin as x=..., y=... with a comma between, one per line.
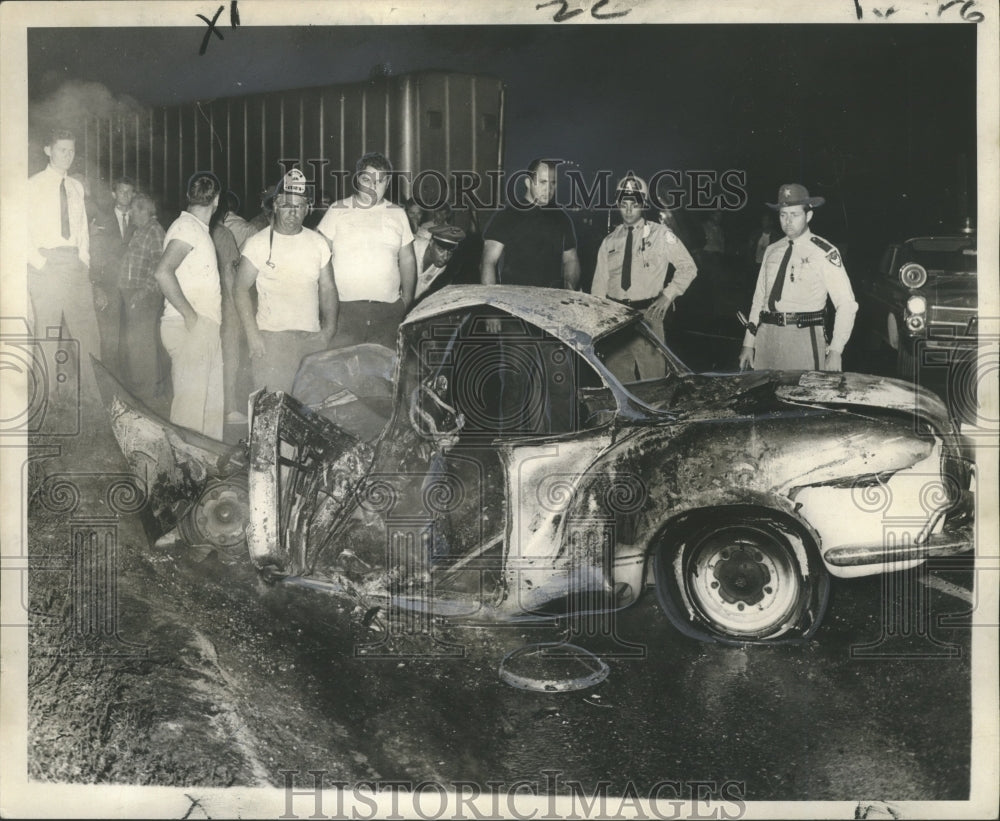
x=373, y=261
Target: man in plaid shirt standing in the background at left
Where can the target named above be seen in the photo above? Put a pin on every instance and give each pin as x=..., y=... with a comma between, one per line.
x=143, y=300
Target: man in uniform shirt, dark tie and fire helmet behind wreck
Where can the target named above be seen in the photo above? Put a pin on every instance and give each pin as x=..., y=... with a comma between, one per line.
x=633, y=267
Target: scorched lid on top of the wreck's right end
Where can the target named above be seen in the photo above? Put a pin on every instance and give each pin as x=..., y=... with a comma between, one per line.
x=763, y=391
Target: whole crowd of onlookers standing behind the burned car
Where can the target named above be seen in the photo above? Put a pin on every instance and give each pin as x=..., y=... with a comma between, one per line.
x=194, y=316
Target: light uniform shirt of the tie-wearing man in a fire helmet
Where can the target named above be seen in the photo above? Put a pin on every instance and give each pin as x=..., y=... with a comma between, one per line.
x=654, y=248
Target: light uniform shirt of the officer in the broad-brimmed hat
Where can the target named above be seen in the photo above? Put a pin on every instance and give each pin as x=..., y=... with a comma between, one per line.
x=814, y=271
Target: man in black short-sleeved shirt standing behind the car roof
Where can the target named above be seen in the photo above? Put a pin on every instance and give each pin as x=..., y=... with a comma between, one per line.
x=533, y=244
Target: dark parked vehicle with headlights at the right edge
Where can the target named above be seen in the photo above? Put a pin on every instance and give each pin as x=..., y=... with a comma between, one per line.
x=922, y=302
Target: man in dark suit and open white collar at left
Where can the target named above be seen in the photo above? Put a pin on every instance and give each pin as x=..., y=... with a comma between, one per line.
x=110, y=234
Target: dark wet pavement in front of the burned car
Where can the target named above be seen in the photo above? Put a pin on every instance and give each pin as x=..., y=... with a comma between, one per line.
x=873, y=706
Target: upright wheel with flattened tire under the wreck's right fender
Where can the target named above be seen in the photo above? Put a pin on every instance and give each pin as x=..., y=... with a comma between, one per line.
x=743, y=581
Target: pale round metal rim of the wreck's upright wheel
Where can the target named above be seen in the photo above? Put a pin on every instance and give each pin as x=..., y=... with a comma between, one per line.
x=744, y=582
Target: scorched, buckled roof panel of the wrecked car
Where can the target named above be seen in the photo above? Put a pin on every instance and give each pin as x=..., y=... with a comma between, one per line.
x=571, y=316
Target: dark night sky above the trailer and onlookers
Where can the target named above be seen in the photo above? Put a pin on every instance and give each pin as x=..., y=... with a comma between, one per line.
x=880, y=119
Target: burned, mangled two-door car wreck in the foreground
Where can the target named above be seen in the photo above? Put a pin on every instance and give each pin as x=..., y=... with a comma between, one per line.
x=505, y=465
